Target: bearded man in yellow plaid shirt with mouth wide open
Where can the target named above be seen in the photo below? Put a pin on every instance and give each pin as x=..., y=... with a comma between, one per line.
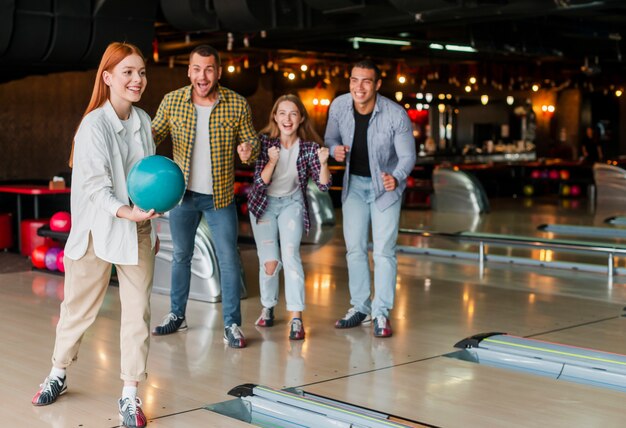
x=206, y=122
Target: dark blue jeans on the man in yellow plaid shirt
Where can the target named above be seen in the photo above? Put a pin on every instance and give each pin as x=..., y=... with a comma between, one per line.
x=223, y=224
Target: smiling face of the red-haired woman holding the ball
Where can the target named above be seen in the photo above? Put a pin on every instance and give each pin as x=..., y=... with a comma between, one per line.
x=127, y=80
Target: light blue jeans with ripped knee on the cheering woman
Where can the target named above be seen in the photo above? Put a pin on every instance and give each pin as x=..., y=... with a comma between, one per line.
x=281, y=222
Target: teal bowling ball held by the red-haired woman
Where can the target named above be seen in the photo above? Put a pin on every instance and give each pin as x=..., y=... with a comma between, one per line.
x=155, y=182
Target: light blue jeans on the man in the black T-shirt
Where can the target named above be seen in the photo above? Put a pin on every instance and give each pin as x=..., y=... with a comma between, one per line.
x=359, y=210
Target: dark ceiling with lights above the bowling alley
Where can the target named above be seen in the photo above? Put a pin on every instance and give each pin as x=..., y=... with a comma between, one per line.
x=563, y=42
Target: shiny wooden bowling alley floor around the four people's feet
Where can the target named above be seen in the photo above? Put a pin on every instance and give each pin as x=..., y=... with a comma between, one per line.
x=439, y=301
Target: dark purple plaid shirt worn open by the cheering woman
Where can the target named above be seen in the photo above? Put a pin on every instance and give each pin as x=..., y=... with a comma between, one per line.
x=308, y=166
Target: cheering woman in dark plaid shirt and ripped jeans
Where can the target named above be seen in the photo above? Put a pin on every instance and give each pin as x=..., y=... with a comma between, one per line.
x=291, y=154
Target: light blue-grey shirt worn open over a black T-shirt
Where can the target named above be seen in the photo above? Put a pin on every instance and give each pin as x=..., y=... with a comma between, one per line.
x=390, y=143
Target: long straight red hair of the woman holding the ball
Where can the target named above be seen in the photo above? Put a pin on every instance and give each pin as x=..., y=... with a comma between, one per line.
x=113, y=55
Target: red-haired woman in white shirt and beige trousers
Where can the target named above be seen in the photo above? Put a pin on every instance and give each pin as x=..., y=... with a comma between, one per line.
x=107, y=230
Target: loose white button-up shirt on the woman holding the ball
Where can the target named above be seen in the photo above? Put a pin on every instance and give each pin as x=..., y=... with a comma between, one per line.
x=99, y=185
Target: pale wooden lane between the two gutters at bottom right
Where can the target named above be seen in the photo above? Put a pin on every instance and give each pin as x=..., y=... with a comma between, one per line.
x=444, y=392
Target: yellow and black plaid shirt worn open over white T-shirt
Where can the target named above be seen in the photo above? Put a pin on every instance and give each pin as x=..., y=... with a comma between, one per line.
x=230, y=124
